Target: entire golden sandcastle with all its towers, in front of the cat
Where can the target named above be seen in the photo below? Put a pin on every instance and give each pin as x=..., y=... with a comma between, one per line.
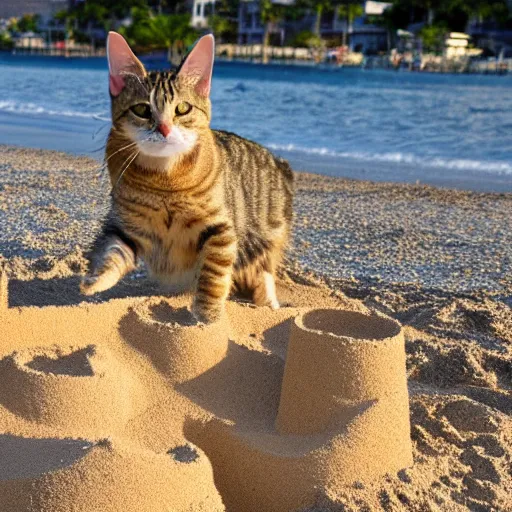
x=129, y=405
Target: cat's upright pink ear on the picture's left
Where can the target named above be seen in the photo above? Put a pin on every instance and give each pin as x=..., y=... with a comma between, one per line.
x=121, y=61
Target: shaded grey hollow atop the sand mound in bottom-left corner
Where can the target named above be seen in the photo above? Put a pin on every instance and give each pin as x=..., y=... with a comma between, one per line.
x=28, y=458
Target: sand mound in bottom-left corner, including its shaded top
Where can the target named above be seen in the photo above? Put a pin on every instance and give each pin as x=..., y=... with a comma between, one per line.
x=103, y=476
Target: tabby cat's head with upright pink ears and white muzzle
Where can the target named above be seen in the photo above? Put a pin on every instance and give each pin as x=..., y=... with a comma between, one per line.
x=162, y=114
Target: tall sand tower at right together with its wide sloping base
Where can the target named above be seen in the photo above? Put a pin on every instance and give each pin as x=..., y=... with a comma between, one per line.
x=343, y=416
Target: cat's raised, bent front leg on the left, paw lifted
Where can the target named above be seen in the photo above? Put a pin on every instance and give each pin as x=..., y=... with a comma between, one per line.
x=112, y=257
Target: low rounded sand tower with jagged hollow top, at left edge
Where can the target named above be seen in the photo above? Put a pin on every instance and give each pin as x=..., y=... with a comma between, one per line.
x=79, y=389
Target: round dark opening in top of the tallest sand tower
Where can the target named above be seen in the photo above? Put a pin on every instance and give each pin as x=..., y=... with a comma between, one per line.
x=351, y=324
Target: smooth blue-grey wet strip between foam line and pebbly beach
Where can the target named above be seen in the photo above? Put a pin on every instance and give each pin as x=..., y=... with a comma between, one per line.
x=86, y=136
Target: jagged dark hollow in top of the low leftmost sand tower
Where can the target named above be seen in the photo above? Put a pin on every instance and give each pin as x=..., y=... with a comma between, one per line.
x=77, y=363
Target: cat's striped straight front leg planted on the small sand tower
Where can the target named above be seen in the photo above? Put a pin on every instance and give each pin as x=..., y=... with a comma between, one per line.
x=217, y=253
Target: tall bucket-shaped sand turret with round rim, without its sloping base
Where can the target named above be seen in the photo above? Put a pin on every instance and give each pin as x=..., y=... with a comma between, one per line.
x=341, y=359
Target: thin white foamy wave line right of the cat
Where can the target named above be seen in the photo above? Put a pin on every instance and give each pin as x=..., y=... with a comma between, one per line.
x=404, y=158
